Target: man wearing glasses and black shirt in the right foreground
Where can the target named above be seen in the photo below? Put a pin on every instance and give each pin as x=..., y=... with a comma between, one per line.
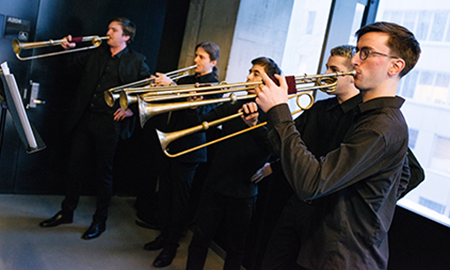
x=359, y=182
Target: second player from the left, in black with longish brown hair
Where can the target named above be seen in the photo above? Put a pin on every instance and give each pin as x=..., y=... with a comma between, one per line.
x=178, y=173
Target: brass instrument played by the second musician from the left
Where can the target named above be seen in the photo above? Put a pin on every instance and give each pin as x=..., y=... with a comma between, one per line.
x=112, y=94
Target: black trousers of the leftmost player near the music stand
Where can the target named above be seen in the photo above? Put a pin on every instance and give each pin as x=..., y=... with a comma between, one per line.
x=96, y=135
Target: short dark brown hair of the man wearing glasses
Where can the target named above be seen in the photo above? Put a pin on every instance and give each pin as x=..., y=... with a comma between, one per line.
x=401, y=42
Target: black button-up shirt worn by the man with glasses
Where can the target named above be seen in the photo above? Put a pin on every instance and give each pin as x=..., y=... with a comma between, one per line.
x=356, y=186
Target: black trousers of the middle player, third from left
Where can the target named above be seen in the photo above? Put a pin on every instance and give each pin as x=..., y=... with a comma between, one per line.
x=213, y=209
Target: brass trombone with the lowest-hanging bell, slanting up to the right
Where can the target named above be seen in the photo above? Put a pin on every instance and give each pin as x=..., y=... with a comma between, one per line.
x=328, y=86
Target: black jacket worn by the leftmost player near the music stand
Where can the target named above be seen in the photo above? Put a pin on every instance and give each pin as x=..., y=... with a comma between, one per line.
x=132, y=68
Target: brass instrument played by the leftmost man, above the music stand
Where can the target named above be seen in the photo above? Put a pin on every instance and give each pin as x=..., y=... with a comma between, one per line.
x=19, y=46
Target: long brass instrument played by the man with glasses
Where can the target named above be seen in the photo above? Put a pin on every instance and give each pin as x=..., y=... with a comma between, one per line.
x=325, y=82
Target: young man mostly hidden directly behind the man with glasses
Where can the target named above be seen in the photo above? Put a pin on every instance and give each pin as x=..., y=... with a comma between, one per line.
x=322, y=127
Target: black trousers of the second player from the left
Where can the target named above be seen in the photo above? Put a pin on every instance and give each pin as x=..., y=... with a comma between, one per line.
x=174, y=193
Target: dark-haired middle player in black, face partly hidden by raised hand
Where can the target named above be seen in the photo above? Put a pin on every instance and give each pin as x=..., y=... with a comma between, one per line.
x=228, y=195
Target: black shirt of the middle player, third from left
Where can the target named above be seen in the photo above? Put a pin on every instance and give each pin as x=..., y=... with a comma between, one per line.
x=238, y=158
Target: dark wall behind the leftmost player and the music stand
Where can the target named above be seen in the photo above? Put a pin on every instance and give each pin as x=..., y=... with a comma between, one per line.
x=160, y=28
